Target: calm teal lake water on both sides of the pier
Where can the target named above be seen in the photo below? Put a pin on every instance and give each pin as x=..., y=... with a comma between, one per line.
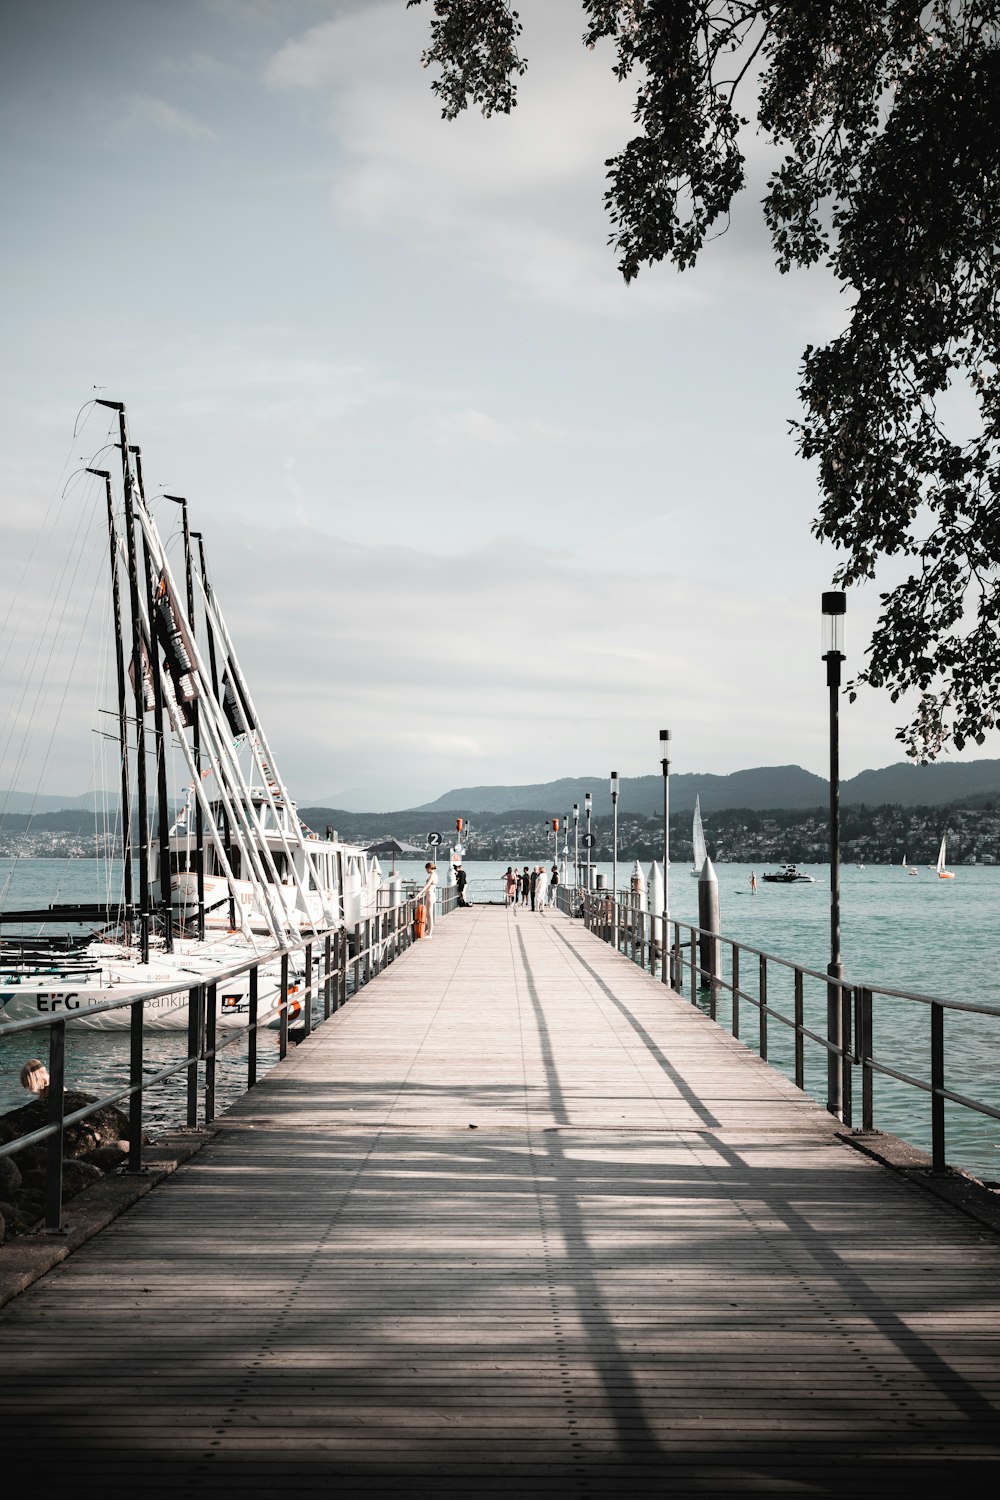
x=917, y=934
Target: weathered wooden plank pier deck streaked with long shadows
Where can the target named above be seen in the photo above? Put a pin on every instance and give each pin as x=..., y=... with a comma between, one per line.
x=513, y=1223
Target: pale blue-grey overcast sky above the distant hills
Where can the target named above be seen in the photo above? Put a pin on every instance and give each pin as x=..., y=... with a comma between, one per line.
x=476, y=511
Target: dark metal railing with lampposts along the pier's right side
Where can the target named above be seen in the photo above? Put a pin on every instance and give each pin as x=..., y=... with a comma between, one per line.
x=720, y=974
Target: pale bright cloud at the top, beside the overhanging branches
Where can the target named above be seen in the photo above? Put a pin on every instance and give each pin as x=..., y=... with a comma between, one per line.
x=518, y=199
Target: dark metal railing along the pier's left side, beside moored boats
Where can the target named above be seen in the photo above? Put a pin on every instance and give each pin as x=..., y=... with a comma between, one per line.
x=331, y=968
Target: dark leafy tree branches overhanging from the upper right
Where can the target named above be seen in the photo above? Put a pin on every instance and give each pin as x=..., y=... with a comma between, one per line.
x=888, y=113
